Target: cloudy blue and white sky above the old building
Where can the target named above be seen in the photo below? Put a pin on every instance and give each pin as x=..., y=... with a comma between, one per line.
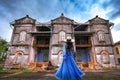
x=45, y=10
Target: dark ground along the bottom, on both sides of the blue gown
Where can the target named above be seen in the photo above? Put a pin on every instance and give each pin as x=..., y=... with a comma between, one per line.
x=49, y=75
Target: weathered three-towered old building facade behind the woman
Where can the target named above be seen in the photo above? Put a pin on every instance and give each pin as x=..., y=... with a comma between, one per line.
x=33, y=42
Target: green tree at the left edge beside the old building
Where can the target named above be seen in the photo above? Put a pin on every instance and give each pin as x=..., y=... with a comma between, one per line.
x=3, y=49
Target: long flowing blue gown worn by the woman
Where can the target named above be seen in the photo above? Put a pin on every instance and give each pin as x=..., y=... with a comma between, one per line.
x=68, y=69
